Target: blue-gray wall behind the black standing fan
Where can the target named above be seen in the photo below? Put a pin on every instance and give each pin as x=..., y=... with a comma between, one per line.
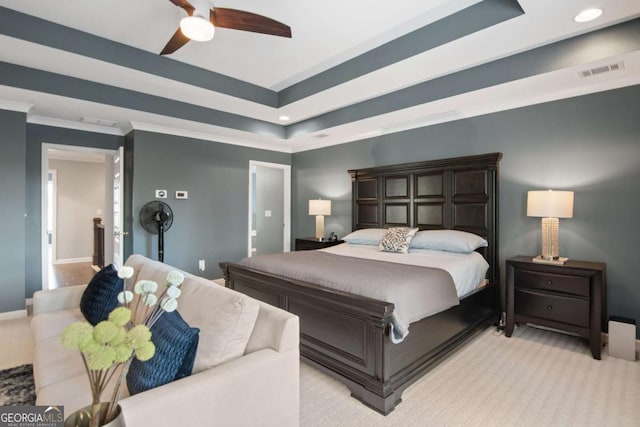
x=213, y=223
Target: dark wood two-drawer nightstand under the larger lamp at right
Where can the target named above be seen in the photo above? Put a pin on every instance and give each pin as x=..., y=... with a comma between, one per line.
x=569, y=297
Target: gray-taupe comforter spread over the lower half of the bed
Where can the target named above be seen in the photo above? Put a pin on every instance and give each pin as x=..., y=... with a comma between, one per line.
x=416, y=292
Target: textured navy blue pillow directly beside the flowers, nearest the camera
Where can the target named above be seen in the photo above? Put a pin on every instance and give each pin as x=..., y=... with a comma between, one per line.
x=176, y=344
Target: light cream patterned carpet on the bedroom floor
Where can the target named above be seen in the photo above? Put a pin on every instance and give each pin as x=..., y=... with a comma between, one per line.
x=535, y=378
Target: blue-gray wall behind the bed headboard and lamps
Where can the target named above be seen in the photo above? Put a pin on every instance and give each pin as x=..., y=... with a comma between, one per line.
x=588, y=144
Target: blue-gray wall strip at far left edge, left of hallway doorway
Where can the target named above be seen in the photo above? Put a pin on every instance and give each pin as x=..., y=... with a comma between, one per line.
x=12, y=204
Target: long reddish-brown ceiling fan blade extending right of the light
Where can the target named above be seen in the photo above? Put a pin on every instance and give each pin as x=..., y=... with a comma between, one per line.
x=247, y=21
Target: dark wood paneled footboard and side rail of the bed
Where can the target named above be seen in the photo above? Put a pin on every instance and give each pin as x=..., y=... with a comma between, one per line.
x=346, y=336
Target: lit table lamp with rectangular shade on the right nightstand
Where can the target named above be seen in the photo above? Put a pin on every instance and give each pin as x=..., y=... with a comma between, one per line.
x=550, y=206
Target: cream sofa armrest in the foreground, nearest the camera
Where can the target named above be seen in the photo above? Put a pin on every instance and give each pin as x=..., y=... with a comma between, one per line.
x=261, y=388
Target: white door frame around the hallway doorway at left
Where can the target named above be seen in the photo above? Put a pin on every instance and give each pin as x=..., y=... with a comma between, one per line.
x=44, y=169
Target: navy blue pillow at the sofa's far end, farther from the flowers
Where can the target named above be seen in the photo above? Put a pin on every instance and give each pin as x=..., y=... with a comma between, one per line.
x=101, y=295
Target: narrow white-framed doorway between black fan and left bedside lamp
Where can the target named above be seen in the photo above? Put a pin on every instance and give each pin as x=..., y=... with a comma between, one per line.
x=269, y=208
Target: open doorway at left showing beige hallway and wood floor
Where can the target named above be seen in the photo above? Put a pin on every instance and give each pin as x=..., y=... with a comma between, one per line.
x=74, y=192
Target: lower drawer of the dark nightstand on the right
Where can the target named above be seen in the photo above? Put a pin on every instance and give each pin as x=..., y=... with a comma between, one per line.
x=573, y=311
